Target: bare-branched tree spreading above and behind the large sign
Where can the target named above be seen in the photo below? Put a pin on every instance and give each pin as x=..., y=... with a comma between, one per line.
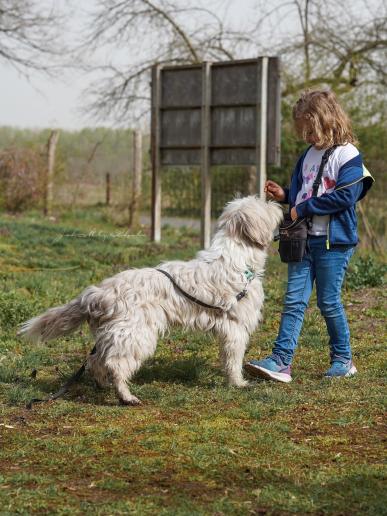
x=321, y=43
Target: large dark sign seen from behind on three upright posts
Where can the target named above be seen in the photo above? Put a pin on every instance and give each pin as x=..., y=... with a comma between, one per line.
x=223, y=113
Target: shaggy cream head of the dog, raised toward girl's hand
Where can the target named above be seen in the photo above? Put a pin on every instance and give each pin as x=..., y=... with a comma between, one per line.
x=250, y=220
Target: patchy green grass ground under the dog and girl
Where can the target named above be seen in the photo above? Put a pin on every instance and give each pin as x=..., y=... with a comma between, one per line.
x=196, y=446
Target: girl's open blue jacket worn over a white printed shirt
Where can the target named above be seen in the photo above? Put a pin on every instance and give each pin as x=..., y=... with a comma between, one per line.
x=353, y=182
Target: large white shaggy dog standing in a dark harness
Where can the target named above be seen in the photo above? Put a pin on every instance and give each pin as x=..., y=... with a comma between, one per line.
x=127, y=313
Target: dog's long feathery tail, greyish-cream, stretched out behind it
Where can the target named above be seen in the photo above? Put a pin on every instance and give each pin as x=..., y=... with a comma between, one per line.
x=61, y=320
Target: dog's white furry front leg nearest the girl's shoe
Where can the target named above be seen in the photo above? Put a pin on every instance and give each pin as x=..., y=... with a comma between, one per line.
x=233, y=345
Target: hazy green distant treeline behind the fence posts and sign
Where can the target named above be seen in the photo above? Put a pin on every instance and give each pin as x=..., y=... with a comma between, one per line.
x=84, y=158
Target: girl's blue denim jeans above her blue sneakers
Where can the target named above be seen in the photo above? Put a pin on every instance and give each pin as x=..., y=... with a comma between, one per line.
x=327, y=268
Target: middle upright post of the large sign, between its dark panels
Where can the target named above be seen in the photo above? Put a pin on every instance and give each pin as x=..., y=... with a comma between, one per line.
x=205, y=221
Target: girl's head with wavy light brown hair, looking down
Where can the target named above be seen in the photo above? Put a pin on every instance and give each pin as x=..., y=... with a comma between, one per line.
x=319, y=119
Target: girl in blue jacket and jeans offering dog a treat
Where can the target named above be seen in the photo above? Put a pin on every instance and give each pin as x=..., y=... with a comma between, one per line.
x=320, y=121
